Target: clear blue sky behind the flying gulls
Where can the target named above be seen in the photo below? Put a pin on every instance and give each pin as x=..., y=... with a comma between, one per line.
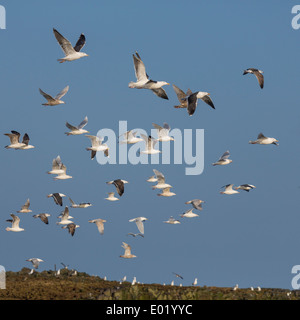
x=249, y=238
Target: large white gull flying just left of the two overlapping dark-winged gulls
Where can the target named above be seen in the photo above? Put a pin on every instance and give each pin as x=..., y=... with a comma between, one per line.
x=143, y=81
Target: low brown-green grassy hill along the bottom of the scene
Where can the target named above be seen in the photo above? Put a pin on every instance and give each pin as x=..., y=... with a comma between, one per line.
x=47, y=286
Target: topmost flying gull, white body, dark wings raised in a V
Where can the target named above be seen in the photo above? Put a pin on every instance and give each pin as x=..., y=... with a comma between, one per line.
x=71, y=53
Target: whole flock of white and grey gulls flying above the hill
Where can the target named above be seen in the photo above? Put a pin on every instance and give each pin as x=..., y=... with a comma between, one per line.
x=188, y=100
